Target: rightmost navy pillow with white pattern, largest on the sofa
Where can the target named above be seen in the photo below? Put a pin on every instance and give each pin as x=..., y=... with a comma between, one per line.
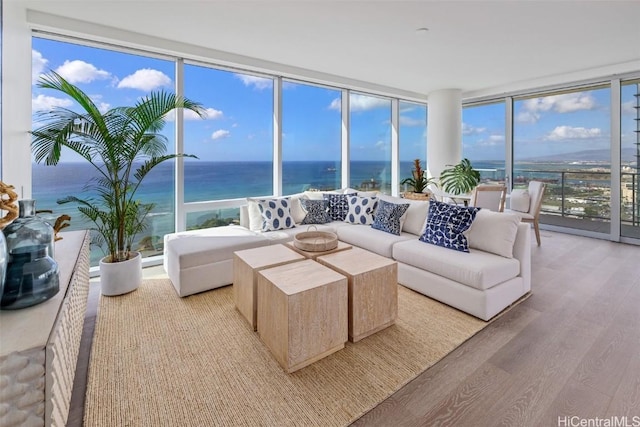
x=446, y=224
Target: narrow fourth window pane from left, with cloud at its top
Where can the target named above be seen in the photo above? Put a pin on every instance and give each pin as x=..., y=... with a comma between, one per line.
x=370, y=142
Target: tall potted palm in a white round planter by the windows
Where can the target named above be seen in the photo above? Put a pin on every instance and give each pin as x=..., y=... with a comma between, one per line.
x=123, y=145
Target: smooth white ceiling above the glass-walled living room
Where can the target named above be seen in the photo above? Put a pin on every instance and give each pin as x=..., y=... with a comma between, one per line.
x=477, y=46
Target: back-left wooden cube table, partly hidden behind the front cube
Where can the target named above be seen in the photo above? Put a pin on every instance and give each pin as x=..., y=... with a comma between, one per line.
x=246, y=264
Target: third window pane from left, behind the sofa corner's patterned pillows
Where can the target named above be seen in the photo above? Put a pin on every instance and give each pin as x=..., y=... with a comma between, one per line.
x=311, y=137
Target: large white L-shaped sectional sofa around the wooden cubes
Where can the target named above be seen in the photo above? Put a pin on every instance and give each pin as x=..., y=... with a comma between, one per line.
x=482, y=282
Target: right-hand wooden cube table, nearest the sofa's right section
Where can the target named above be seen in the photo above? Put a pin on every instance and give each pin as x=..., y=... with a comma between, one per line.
x=373, y=289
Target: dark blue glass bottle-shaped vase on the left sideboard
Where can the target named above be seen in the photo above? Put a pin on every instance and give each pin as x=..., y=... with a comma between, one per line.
x=32, y=273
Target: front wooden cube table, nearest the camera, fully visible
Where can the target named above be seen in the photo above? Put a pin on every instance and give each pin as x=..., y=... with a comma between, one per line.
x=302, y=312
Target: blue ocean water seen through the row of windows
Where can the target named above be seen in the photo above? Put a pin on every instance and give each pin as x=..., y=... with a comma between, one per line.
x=226, y=180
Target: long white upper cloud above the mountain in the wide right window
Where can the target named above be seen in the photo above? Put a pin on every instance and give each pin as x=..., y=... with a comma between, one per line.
x=533, y=108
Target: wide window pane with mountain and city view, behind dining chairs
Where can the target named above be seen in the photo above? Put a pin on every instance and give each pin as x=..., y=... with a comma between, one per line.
x=563, y=139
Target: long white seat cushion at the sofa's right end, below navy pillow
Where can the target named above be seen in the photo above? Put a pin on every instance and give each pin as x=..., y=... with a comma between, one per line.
x=477, y=269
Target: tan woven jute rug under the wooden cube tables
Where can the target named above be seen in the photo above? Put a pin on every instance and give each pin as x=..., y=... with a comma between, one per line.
x=161, y=360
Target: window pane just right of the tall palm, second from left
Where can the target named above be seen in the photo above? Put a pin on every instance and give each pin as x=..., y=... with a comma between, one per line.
x=234, y=145
